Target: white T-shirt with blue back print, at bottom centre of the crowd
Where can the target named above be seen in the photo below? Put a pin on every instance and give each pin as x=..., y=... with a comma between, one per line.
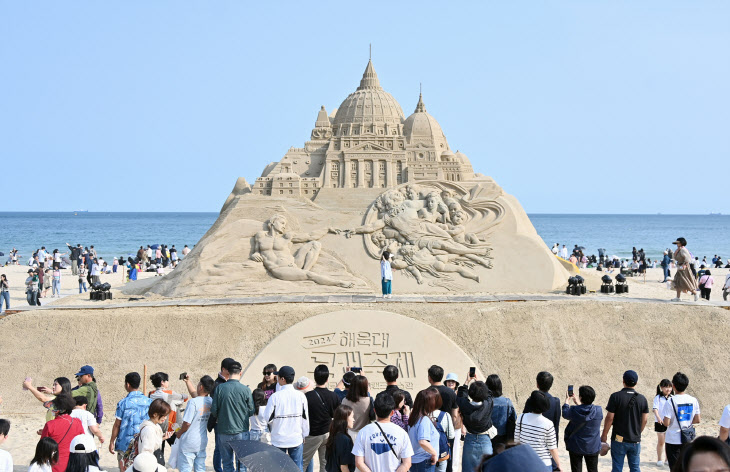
x=373, y=448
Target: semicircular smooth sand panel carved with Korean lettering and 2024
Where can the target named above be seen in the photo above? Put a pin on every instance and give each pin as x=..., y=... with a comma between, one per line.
x=367, y=339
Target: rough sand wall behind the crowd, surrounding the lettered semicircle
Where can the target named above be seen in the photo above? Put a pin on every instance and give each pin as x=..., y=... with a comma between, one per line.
x=580, y=343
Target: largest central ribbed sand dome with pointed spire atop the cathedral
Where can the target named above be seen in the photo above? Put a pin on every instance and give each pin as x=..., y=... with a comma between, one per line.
x=369, y=103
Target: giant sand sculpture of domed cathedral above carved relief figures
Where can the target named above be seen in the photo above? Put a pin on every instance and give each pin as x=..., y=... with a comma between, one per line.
x=368, y=180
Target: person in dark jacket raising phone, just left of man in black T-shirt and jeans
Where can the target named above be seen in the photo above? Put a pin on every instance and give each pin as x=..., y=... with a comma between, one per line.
x=583, y=433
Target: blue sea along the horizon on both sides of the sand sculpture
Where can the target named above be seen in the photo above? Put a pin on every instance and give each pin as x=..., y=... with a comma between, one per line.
x=121, y=234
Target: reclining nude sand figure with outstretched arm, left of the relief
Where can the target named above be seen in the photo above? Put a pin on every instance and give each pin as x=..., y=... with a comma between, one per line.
x=274, y=249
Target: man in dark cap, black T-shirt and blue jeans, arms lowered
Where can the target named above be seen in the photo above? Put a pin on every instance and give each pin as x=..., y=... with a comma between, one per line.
x=626, y=413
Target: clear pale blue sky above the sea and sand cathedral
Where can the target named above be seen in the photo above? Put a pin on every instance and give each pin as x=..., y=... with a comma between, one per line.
x=160, y=106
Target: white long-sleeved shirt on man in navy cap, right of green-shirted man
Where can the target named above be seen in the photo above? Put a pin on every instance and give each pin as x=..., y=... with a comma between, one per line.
x=289, y=425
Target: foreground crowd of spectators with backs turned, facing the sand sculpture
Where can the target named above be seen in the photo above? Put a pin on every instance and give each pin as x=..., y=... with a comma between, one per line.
x=353, y=427
